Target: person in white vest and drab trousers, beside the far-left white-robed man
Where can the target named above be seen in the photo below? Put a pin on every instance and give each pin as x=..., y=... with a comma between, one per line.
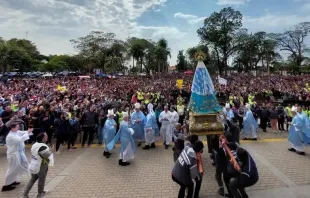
x=41, y=158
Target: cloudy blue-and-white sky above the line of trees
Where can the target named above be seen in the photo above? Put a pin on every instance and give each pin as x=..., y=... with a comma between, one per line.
x=50, y=24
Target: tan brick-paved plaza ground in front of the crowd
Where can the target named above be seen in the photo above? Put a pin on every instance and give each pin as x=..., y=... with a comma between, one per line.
x=85, y=173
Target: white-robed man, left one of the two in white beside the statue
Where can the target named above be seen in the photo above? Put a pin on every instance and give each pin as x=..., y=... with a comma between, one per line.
x=165, y=118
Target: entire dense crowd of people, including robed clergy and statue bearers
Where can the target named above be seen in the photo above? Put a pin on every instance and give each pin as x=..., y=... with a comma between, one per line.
x=134, y=110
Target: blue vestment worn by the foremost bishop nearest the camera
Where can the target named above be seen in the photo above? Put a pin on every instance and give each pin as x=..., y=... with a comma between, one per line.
x=124, y=135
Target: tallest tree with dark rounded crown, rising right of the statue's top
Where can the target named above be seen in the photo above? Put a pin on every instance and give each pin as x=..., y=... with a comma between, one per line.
x=219, y=32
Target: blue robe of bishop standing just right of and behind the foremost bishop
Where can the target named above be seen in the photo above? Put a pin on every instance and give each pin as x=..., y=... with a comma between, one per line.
x=138, y=127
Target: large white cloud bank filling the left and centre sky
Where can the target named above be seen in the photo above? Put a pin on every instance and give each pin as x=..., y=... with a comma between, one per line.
x=52, y=23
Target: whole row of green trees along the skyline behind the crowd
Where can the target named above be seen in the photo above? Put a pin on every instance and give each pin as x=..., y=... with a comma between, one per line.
x=222, y=38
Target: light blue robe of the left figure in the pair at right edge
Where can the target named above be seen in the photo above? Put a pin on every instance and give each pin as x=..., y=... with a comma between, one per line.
x=295, y=135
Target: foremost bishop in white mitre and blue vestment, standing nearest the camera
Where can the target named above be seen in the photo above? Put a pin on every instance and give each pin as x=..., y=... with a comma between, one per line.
x=128, y=147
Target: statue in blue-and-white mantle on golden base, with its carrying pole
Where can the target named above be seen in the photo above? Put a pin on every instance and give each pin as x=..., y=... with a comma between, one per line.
x=204, y=108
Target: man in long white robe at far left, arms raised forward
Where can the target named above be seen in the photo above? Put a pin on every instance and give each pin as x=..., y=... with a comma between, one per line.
x=17, y=160
